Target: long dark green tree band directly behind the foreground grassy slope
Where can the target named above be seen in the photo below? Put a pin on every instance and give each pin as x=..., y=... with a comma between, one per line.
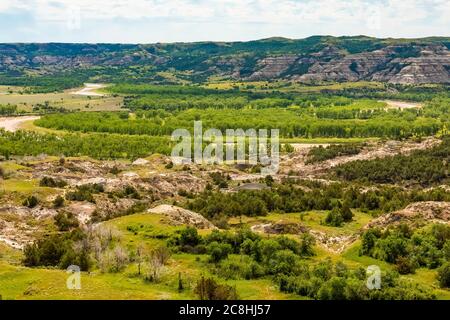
x=289, y=197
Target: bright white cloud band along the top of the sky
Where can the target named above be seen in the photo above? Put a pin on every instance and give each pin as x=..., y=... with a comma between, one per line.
x=287, y=11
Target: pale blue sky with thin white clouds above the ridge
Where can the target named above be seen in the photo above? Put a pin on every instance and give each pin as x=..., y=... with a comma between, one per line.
x=151, y=21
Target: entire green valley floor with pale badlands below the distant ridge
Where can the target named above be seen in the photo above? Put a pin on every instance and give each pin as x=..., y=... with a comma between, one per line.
x=368, y=186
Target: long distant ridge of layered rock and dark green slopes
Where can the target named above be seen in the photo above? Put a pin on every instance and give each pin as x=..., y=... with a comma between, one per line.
x=324, y=59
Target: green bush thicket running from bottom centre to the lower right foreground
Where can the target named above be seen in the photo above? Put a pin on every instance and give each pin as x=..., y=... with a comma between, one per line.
x=284, y=260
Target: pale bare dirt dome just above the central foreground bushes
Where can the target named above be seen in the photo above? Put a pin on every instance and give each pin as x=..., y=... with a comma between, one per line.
x=180, y=216
